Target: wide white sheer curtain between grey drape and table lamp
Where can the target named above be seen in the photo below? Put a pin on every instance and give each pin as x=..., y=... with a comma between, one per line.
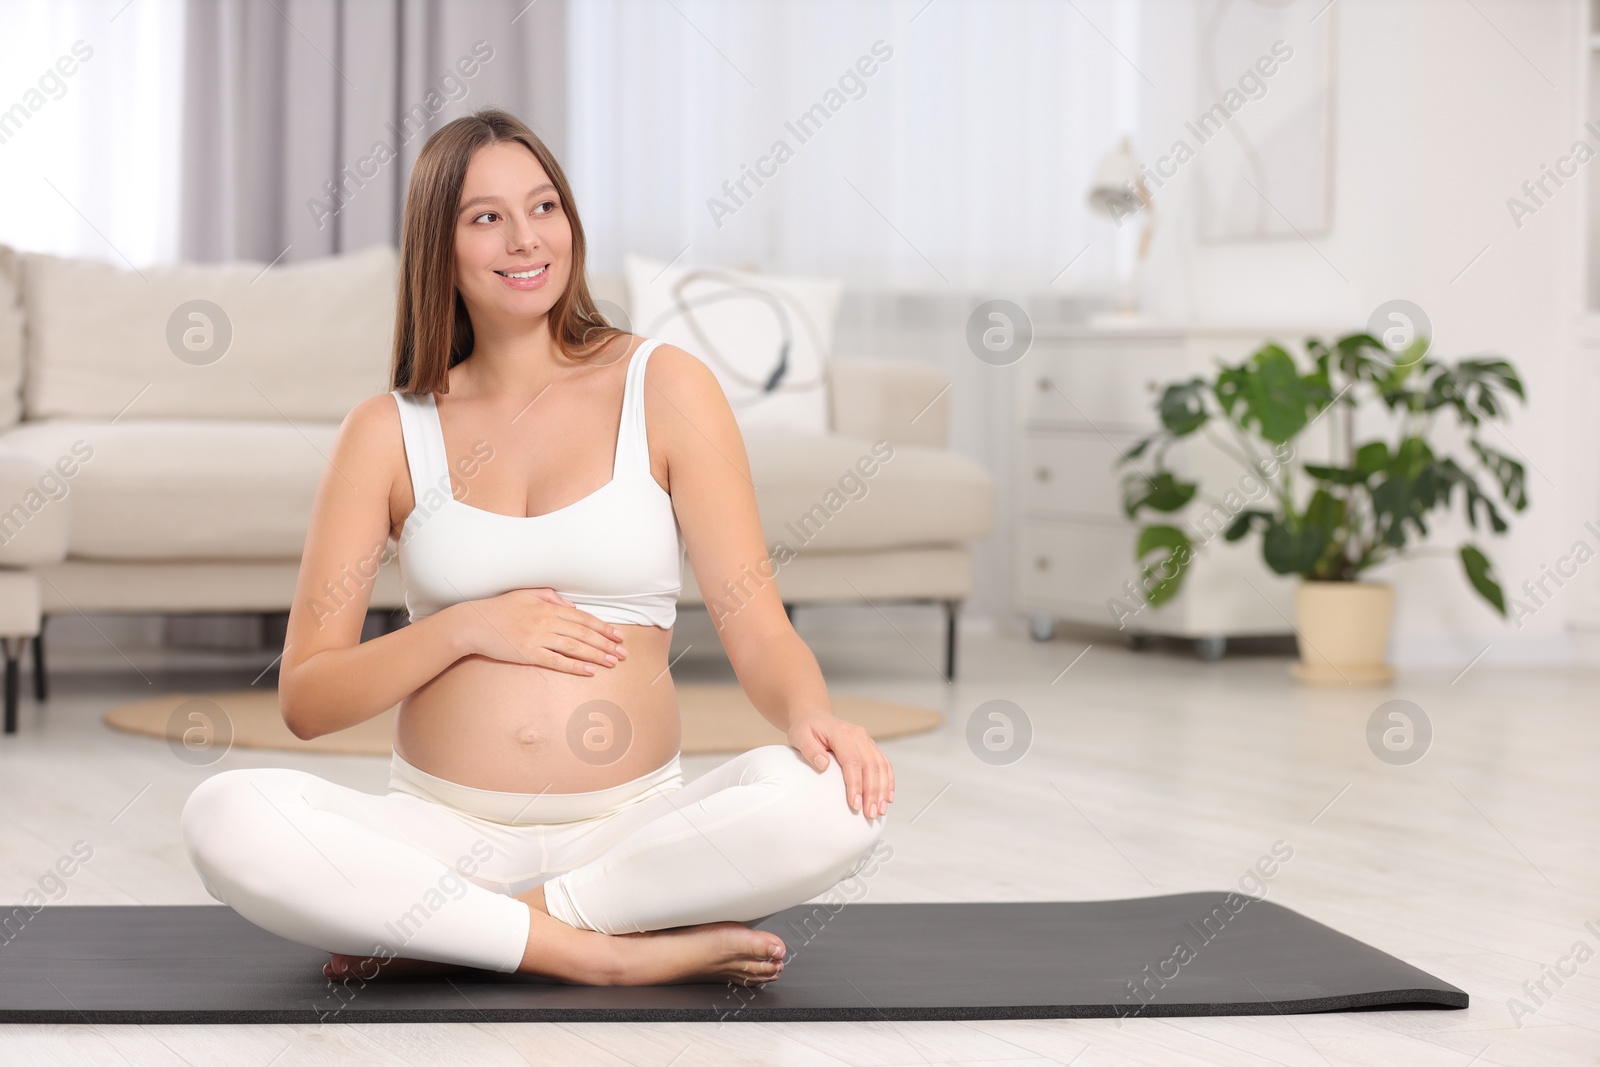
x=961, y=162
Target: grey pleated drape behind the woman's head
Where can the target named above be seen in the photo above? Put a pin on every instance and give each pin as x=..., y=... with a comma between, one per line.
x=303, y=118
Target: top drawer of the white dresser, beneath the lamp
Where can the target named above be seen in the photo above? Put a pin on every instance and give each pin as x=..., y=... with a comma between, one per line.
x=1110, y=386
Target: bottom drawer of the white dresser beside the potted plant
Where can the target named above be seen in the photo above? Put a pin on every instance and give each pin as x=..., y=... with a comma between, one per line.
x=1074, y=564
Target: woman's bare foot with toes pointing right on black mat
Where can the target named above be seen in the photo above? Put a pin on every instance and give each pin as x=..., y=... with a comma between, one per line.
x=714, y=953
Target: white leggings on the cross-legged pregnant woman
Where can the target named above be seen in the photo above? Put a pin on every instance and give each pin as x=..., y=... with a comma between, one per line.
x=430, y=871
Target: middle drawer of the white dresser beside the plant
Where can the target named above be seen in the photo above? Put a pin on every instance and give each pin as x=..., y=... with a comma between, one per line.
x=1070, y=474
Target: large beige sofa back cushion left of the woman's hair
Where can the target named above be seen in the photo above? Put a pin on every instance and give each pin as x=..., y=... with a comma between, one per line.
x=303, y=342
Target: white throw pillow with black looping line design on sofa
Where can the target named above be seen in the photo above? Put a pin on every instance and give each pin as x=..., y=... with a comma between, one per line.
x=766, y=338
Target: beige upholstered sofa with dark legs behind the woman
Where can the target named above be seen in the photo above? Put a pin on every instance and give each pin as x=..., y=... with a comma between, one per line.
x=145, y=470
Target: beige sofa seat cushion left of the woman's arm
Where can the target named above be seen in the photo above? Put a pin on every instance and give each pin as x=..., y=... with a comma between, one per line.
x=185, y=489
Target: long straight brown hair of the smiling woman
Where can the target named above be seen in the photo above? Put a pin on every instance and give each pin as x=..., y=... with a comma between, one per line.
x=433, y=329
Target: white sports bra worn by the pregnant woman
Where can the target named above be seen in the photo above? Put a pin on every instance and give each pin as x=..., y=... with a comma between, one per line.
x=618, y=553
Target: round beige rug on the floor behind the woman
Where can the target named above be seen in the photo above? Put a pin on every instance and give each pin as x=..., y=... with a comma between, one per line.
x=716, y=719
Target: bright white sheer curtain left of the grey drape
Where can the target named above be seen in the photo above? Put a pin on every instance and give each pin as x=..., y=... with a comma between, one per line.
x=90, y=105
